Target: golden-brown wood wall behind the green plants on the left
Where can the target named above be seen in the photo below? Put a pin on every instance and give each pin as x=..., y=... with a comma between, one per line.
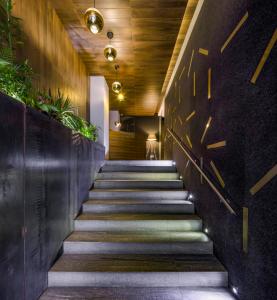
x=50, y=52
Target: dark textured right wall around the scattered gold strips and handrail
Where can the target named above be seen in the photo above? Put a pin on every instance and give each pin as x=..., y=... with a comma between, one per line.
x=244, y=115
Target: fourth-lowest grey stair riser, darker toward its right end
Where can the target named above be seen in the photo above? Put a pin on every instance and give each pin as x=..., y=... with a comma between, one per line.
x=140, y=208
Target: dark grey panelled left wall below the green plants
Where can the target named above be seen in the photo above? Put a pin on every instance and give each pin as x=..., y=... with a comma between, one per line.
x=45, y=176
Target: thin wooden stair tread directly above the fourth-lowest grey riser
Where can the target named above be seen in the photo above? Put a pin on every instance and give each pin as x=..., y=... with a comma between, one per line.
x=135, y=201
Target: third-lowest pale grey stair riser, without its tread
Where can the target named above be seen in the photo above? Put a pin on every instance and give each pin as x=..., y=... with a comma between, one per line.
x=160, y=225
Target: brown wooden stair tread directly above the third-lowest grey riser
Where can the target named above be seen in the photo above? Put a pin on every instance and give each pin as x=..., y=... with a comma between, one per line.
x=136, y=217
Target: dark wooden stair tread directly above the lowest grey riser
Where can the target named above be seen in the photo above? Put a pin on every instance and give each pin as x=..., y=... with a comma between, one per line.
x=136, y=263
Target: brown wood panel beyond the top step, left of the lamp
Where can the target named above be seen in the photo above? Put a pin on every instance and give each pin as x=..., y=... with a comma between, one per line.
x=126, y=145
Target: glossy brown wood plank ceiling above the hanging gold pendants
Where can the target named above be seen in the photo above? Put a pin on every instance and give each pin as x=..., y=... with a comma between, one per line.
x=145, y=32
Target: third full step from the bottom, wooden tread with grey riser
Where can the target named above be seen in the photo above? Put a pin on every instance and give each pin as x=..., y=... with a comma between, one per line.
x=138, y=222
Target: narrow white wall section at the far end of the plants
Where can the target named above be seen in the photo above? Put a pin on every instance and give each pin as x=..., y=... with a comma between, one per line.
x=99, y=108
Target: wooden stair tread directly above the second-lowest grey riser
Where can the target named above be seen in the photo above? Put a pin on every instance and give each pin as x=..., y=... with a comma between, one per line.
x=137, y=237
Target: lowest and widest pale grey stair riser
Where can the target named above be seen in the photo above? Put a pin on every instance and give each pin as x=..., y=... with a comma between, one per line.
x=141, y=279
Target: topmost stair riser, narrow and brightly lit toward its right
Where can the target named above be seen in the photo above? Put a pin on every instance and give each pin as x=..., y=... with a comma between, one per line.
x=151, y=163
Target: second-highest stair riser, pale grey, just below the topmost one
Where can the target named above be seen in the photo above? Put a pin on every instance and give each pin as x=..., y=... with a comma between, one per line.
x=138, y=176
